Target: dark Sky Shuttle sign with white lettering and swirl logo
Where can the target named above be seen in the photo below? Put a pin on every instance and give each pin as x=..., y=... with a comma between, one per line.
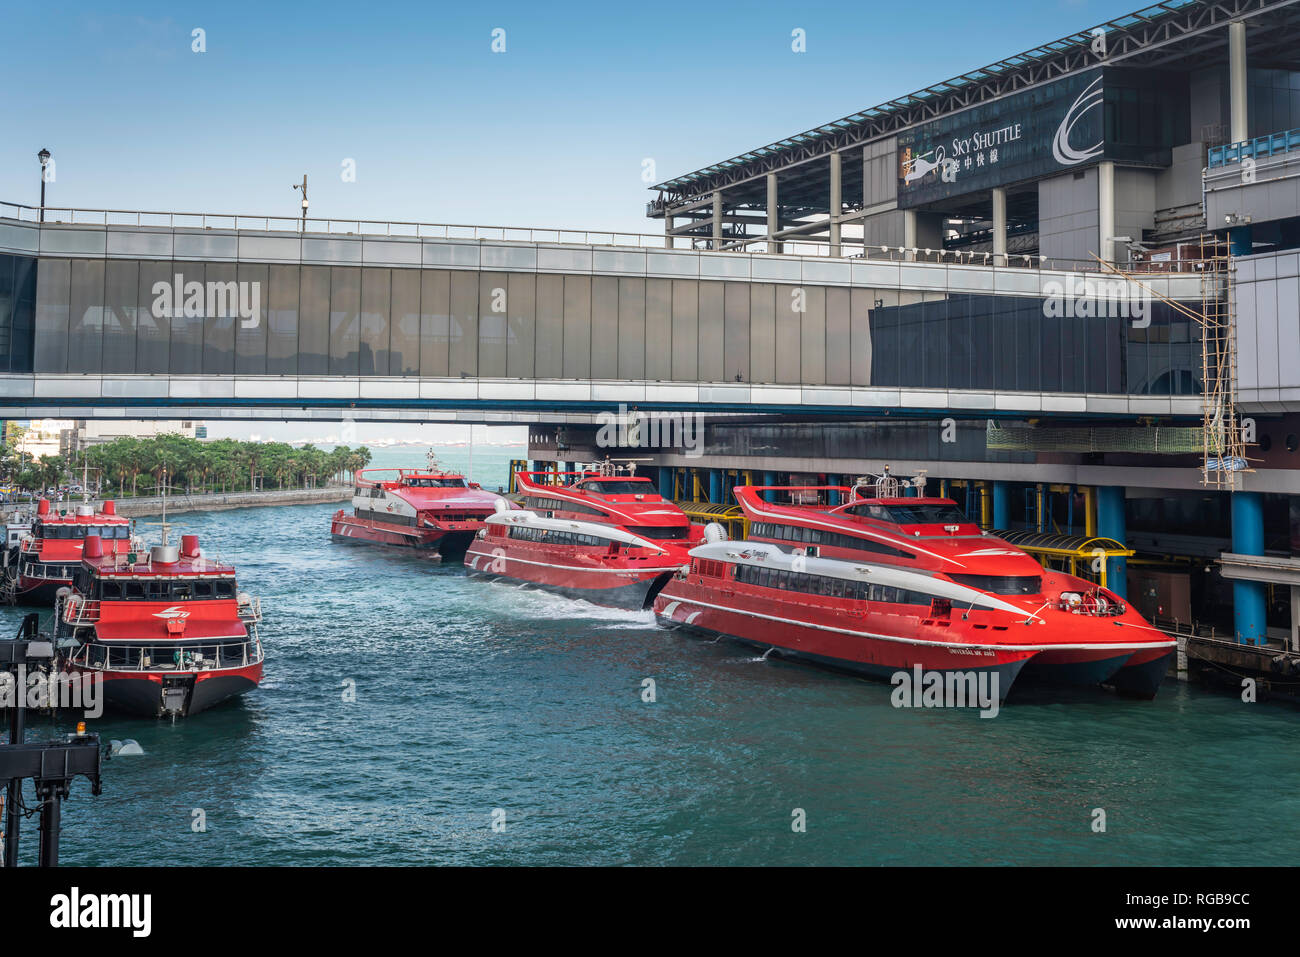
x=1035, y=133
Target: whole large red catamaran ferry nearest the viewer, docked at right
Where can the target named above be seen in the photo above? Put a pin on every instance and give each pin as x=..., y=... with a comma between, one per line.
x=882, y=583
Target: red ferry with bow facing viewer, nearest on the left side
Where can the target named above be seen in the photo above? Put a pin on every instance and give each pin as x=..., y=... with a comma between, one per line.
x=168, y=633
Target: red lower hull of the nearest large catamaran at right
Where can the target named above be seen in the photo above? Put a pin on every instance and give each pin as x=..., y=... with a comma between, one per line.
x=882, y=638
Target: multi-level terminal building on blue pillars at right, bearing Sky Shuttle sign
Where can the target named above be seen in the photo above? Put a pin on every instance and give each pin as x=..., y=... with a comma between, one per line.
x=1137, y=148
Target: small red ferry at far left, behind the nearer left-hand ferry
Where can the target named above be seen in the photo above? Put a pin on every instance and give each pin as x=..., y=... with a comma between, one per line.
x=49, y=557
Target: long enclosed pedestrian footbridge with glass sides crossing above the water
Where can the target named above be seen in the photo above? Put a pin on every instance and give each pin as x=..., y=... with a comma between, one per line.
x=131, y=314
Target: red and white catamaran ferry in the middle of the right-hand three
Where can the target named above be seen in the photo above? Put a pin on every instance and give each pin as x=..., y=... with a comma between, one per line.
x=596, y=535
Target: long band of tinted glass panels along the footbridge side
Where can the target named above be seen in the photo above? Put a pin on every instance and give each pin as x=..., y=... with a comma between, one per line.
x=124, y=317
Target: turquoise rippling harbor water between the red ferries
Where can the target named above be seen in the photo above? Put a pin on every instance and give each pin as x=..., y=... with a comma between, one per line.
x=474, y=698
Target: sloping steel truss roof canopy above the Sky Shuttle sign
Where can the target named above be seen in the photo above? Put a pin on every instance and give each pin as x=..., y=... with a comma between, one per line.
x=1171, y=34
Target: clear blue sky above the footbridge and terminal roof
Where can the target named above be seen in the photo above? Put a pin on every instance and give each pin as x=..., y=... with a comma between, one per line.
x=553, y=133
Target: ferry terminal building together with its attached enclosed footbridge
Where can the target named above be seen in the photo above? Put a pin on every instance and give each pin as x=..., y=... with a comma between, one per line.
x=1065, y=287
